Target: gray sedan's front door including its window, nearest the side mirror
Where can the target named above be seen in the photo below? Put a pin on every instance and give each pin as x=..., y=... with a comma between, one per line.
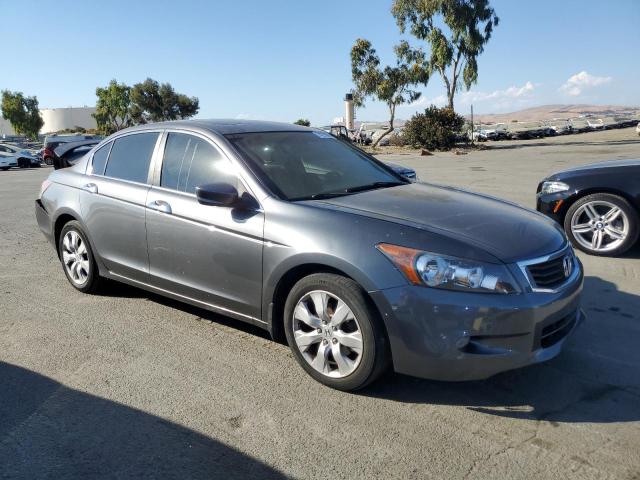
x=206, y=253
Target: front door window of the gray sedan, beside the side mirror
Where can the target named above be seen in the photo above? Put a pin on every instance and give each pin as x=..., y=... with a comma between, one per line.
x=190, y=161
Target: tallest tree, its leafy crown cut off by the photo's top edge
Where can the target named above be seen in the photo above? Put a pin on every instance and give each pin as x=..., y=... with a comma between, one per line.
x=454, y=50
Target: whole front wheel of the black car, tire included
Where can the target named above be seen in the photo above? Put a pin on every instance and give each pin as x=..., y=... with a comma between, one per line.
x=610, y=214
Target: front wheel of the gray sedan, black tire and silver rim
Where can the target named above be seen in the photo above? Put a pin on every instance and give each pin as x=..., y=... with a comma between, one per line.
x=355, y=370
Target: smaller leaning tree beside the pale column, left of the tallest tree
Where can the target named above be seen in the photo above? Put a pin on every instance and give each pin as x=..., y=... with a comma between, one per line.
x=391, y=85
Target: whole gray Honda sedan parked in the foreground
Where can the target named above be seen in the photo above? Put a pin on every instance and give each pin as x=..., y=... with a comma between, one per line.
x=301, y=234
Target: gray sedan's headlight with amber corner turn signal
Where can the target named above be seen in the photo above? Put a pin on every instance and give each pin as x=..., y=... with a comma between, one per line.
x=441, y=271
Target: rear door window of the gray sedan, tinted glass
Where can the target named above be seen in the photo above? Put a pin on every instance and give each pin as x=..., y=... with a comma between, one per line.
x=130, y=157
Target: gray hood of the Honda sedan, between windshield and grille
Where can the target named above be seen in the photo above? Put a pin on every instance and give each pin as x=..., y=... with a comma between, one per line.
x=505, y=230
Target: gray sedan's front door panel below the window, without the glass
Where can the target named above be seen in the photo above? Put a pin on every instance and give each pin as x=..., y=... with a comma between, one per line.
x=189, y=252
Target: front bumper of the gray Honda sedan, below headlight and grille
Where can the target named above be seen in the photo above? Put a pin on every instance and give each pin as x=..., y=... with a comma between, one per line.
x=456, y=336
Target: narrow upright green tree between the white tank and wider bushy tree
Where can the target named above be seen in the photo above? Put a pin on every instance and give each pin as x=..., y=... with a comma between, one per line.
x=113, y=108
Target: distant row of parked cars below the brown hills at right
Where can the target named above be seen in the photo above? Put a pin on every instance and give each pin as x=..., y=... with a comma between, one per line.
x=529, y=130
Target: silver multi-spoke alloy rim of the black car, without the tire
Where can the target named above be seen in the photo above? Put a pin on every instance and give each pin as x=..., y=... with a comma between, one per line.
x=600, y=226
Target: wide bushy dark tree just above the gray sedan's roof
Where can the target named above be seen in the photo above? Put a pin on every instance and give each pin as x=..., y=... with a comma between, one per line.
x=154, y=102
